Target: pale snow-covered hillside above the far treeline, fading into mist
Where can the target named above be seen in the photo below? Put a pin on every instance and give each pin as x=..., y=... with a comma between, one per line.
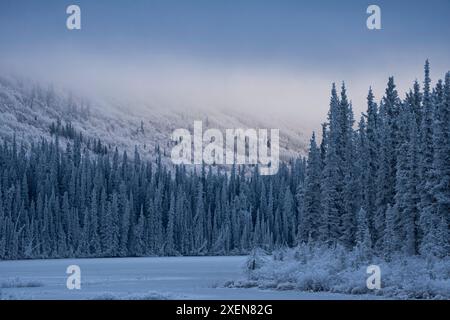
x=29, y=109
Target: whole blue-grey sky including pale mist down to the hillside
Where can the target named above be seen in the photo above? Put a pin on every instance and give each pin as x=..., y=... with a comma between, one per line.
x=275, y=54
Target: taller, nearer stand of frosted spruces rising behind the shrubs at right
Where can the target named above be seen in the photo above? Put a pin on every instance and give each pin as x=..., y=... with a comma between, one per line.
x=384, y=187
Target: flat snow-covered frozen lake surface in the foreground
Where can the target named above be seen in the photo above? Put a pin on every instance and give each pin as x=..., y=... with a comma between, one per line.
x=138, y=278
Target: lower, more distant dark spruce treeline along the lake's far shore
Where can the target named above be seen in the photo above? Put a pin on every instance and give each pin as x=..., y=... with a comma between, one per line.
x=56, y=203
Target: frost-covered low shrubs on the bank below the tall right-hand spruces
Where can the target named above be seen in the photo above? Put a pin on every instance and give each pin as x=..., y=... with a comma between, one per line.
x=319, y=268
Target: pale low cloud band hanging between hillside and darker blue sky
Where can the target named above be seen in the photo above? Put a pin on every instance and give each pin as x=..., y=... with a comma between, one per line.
x=297, y=95
